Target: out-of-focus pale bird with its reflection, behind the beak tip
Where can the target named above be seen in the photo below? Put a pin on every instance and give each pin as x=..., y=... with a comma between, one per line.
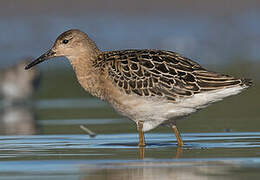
x=17, y=88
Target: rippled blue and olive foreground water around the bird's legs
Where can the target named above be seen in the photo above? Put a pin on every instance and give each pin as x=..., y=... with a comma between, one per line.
x=115, y=156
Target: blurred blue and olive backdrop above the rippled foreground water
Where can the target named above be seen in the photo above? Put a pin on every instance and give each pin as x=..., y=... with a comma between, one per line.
x=221, y=35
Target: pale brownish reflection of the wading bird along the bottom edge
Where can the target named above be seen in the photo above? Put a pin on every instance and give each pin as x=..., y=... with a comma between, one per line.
x=163, y=170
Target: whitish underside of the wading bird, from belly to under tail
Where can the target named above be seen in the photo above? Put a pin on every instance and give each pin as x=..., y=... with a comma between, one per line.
x=154, y=111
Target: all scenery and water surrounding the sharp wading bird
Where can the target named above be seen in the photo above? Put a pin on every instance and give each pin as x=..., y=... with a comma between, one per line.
x=48, y=105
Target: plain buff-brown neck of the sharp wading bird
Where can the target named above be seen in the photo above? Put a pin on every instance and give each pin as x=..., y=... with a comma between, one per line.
x=89, y=77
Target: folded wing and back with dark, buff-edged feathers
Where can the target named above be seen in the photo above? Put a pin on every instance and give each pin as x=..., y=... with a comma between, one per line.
x=161, y=73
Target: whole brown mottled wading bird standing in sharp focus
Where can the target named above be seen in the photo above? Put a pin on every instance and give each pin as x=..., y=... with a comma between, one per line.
x=150, y=87
